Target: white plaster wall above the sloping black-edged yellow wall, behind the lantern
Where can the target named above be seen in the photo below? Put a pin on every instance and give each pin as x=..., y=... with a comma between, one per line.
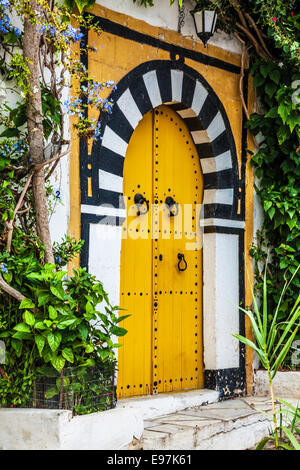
x=162, y=15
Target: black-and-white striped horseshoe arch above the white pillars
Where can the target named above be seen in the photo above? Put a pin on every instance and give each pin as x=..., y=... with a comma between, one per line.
x=144, y=88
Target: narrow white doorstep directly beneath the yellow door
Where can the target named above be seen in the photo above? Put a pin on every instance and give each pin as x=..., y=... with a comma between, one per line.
x=151, y=406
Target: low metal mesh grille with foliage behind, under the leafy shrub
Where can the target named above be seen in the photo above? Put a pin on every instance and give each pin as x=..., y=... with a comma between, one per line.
x=81, y=390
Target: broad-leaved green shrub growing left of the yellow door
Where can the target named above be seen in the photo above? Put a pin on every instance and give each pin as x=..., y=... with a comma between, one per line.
x=58, y=324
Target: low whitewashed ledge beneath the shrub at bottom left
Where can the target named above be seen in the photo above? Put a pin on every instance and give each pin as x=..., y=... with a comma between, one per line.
x=36, y=429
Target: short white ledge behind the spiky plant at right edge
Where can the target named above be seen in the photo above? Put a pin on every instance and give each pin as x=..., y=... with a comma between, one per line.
x=286, y=384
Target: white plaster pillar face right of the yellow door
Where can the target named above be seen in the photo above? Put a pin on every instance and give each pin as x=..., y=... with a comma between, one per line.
x=220, y=300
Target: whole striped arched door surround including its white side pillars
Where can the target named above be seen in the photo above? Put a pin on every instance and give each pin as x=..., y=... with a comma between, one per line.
x=181, y=87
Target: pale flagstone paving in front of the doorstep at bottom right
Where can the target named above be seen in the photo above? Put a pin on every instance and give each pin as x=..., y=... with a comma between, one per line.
x=234, y=424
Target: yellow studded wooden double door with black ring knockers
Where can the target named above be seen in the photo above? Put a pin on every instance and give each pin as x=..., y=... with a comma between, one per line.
x=161, y=260
